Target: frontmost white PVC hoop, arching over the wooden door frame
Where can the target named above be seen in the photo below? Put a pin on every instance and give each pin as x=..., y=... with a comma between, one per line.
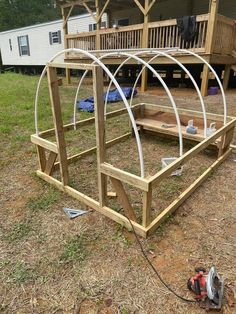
x=140, y=152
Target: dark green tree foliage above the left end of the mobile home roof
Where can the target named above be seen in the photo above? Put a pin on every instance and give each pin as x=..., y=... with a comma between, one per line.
x=20, y=13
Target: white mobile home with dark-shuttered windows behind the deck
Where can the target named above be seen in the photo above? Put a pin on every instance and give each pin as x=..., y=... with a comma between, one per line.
x=34, y=45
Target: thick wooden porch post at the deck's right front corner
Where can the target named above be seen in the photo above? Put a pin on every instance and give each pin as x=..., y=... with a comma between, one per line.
x=211, y=28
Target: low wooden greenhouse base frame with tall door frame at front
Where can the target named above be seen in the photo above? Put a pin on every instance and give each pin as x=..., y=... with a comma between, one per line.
x=58, y=158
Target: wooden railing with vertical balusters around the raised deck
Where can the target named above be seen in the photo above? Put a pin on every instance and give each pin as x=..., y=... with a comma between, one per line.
x=162, y=34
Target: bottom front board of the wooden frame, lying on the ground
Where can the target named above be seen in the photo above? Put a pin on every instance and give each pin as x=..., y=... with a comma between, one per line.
x=88, y=201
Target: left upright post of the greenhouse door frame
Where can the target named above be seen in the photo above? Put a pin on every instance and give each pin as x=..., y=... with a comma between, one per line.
x=57, y=118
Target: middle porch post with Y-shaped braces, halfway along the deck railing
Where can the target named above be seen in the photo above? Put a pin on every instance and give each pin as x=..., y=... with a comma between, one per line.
x=144, y=78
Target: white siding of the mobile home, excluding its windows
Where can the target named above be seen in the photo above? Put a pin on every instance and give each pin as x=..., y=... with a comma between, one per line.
x=40, y=49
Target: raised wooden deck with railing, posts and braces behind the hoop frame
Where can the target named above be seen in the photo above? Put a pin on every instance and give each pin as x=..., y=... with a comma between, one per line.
x=216, y=39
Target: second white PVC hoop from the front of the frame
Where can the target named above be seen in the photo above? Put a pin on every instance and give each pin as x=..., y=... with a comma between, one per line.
x=139, y=60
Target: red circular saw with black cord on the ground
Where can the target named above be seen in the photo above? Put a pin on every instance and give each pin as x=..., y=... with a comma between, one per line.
x=209, y=288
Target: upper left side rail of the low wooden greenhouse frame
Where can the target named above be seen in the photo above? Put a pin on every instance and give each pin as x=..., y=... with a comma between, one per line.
x=89, y=121
